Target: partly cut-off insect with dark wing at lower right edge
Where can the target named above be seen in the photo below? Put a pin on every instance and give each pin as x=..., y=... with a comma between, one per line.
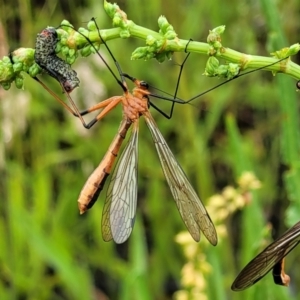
x=270, y=258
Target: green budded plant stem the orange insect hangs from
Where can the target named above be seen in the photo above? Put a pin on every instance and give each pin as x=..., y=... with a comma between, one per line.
x=159, y=45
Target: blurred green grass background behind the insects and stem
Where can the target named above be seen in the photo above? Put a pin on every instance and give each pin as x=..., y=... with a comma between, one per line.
x=49, y=251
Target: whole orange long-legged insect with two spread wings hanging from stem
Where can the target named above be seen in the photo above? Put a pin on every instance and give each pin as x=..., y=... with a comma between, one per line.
x=121, y=199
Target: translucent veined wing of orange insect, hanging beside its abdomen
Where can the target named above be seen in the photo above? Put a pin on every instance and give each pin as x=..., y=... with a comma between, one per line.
x=120, y=204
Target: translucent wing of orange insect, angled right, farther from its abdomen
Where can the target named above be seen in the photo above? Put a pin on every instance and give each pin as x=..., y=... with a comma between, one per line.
x=191, y=209
